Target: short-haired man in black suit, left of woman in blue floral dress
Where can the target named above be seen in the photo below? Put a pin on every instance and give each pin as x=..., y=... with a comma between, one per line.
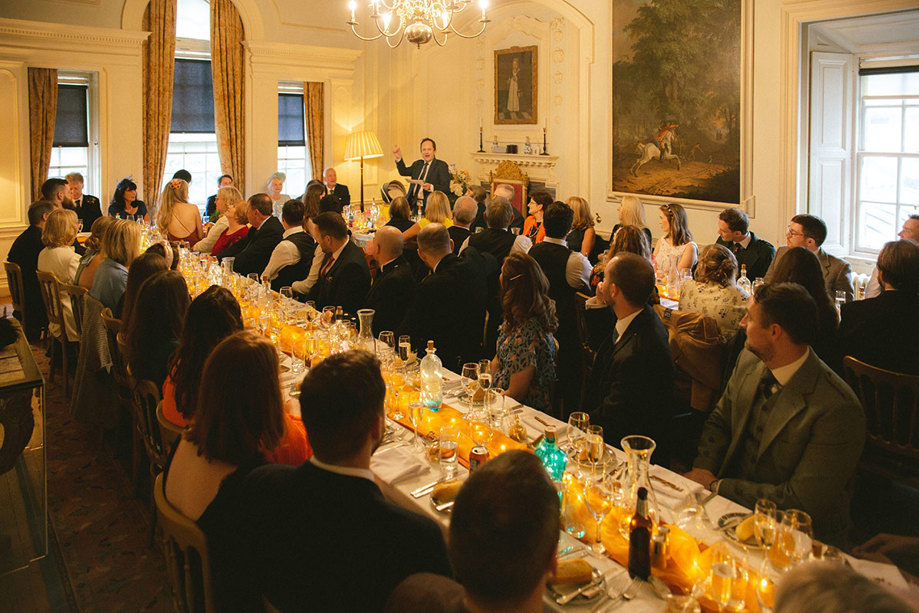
x=449, y=304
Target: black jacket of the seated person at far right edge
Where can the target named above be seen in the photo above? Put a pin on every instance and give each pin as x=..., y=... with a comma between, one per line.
x=882, y=331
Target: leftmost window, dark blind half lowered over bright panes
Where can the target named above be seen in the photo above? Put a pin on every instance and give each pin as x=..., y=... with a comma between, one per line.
x=70, y=150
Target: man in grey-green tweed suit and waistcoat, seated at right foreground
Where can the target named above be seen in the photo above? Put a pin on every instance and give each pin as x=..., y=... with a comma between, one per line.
x=787, y=428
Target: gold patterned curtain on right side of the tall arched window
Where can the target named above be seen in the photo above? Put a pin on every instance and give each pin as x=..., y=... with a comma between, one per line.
x=227, y=62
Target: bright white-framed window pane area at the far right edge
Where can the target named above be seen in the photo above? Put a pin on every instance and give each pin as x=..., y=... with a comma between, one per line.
x=887, y=155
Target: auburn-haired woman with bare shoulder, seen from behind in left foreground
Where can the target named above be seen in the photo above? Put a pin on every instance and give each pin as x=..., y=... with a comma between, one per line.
x=233, y=426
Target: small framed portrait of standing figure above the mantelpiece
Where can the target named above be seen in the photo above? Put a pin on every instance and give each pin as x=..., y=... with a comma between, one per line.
x=515, y=86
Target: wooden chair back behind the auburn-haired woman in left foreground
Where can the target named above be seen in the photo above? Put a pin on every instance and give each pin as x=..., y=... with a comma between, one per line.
x=187, y=559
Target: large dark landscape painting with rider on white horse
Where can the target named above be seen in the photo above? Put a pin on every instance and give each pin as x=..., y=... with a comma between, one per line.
x=676, y=99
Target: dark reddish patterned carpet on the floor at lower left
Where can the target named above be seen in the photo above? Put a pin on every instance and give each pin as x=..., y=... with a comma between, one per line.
x=102, y=528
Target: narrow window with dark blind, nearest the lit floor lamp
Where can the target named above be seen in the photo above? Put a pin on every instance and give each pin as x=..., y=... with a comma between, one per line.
x=292, y=158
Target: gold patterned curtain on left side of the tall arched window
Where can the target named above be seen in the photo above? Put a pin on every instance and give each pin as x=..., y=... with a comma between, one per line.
x=158, y=70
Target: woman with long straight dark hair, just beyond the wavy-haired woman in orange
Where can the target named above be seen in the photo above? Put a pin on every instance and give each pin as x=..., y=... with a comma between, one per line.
x=154, y=323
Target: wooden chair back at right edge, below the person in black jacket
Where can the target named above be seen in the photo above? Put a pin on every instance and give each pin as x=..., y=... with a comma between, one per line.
x=891, y=403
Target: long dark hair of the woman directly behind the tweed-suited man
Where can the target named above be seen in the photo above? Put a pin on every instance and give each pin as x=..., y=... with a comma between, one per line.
x=801, y=265
